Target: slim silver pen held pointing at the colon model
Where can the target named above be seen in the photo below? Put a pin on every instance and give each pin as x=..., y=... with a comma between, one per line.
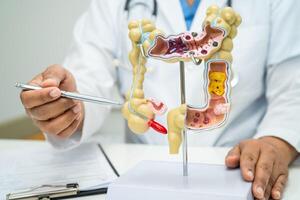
x=71, y=95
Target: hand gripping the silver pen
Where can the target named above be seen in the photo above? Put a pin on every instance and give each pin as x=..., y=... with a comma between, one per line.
x=54, y=115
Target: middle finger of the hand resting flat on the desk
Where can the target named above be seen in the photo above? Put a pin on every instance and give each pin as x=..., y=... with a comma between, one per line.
x=263, y=172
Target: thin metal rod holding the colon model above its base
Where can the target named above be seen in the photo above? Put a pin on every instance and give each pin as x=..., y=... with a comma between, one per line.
x=184, y=135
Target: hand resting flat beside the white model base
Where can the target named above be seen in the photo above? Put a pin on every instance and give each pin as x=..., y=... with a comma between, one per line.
x=264, y=162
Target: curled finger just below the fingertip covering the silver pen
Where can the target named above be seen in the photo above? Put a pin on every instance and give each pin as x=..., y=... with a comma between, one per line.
x=52, y=109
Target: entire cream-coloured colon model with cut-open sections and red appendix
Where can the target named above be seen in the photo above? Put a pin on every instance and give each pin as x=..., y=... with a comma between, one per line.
x=213, y=46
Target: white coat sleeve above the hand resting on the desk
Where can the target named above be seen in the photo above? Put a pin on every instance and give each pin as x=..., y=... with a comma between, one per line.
x=282, y=118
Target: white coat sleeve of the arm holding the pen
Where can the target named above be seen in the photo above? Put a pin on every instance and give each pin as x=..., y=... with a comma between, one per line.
x=90, y=60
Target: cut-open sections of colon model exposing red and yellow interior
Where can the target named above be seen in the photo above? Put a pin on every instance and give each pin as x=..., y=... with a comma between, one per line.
x=217, y=72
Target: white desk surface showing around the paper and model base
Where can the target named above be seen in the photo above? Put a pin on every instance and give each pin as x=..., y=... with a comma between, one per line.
x=125, y=156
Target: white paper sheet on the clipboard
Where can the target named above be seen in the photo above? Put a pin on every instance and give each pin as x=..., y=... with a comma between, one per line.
x=32, y=166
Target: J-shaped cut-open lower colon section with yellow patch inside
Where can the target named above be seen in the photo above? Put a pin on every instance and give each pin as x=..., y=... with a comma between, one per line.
x=217, y=85
